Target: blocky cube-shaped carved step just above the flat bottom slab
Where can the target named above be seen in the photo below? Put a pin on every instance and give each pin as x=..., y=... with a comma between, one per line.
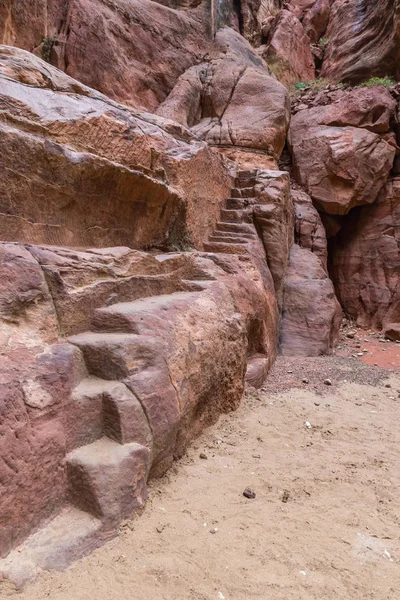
x=107, y=479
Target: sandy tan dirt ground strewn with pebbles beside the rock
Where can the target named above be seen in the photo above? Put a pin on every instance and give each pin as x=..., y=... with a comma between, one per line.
x=324, y=463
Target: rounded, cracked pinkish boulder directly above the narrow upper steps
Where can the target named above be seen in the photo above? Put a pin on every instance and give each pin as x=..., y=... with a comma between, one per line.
x=232, y=101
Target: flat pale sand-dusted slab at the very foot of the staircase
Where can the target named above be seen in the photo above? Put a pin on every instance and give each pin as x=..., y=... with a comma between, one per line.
x=67, y=537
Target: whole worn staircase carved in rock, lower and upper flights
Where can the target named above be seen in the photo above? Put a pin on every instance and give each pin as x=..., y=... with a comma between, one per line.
x=124, y=413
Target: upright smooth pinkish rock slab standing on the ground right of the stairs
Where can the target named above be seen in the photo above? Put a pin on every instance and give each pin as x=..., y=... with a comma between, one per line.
x=311, y=314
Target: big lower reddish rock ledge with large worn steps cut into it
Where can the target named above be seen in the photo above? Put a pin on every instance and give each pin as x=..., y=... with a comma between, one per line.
x=160, y=362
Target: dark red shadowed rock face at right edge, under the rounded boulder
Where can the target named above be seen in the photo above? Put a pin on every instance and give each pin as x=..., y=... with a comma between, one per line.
x=365, y=261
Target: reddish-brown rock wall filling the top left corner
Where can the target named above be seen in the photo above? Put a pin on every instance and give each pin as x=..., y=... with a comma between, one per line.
x=137, y=48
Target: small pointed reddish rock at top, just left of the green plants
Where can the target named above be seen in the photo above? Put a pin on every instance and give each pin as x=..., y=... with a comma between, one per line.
x=288, y=53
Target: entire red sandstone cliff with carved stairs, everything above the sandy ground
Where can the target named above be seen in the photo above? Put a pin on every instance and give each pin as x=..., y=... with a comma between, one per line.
x=187, y=189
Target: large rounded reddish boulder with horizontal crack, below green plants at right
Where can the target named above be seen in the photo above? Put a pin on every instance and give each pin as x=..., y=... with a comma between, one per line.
x=338, y=158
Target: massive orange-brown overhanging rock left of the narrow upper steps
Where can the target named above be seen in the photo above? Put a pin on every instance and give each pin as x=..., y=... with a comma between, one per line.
x=117, y=176
